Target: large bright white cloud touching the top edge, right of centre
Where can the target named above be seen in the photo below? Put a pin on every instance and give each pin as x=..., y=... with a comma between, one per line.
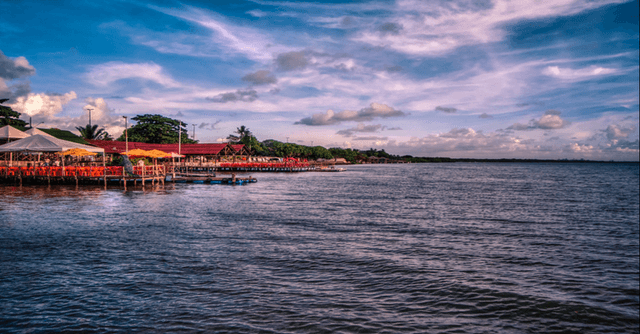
x=430, y=28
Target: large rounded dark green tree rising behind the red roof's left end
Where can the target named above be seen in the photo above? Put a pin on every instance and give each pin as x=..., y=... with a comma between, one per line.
x=157, y=129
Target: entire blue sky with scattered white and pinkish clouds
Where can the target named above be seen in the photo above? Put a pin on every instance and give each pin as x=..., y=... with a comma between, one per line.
x=461, y=79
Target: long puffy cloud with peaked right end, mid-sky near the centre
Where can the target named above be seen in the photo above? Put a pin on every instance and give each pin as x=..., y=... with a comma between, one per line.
x=375, y=110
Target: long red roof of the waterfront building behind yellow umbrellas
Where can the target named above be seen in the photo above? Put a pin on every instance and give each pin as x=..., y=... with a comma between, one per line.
x=118, y=147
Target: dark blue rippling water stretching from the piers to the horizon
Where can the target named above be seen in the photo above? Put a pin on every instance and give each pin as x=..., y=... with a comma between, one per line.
x=450, y=248
